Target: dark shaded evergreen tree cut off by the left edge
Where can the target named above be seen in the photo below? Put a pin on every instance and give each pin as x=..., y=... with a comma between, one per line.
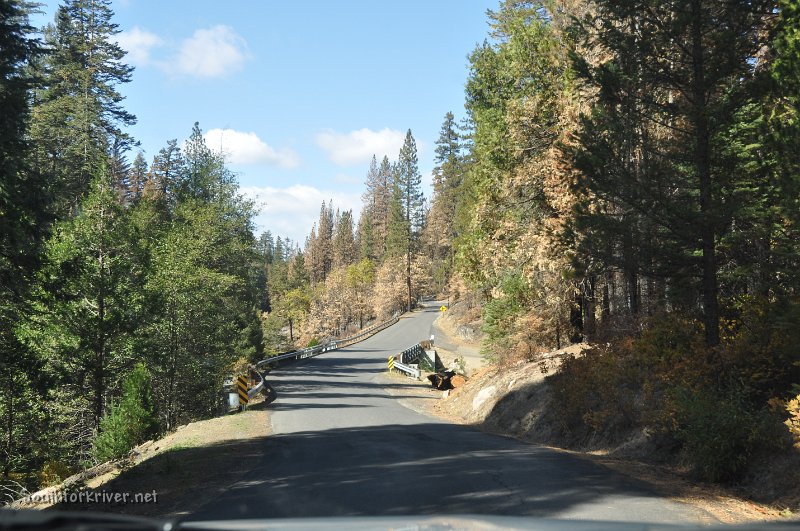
x=24, y=217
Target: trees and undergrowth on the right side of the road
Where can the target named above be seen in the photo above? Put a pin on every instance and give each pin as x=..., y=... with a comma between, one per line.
x=632, y=181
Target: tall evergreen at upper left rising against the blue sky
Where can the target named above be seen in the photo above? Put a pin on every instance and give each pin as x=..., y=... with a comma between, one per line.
x=78, y=117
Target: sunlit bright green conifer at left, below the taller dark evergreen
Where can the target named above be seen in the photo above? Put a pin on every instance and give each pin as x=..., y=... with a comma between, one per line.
x=87, y=313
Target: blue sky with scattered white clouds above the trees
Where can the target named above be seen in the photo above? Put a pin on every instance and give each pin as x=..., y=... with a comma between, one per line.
x=298, y=95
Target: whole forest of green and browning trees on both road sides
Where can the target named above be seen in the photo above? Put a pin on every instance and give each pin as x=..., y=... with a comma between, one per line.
x=627, y=175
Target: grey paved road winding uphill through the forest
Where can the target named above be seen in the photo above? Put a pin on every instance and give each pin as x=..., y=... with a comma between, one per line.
x=341, y=445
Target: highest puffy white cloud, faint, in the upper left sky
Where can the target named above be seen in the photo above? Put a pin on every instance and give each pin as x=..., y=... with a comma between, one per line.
x=213, y=52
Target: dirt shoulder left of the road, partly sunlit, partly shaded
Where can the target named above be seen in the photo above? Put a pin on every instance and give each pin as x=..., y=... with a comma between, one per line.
x=172, y=476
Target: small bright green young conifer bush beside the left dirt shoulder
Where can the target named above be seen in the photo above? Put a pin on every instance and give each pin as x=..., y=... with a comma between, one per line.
x=130, y=422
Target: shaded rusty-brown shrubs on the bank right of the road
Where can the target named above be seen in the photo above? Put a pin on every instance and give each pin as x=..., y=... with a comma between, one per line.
x=712, y=405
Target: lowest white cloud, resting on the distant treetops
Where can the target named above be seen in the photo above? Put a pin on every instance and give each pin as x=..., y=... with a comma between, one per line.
x=292, y=211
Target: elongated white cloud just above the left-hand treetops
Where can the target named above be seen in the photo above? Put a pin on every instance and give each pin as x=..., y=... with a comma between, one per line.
x=246, y=148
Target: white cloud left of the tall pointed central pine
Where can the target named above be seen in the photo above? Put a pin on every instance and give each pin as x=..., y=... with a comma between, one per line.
x=357, y=147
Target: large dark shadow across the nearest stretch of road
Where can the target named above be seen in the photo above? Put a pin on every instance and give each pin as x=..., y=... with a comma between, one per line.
x=421, y=469
